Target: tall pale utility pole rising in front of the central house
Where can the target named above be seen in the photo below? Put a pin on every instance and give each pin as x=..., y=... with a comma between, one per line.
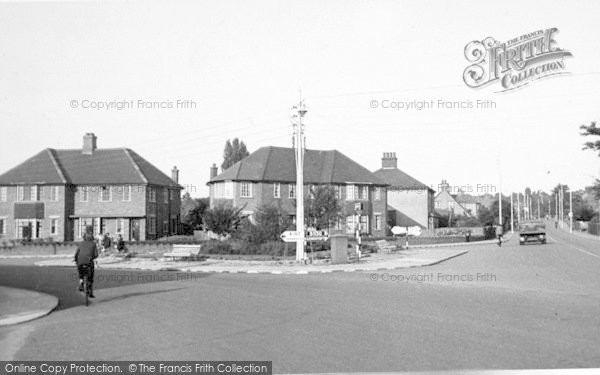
x=298, y=113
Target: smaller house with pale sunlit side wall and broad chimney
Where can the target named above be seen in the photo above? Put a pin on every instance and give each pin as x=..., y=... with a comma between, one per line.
x=410, y=202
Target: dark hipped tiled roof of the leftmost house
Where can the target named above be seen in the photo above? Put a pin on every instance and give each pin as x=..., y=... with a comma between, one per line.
x=103, y=166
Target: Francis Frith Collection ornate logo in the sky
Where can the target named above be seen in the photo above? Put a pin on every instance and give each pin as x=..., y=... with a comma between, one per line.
x=515, y=63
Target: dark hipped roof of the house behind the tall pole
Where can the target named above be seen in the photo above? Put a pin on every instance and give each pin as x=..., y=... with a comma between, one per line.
x=278, y=164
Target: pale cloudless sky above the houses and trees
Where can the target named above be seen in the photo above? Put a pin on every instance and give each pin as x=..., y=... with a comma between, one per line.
x=188, y=75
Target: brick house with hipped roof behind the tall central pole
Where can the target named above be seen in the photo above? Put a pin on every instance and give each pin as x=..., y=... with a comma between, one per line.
x=268, y=176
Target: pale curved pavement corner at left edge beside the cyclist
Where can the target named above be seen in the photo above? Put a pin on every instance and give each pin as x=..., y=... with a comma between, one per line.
x=20, y=305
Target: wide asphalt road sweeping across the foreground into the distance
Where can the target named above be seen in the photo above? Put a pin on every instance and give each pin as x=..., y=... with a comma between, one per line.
x=532, y=306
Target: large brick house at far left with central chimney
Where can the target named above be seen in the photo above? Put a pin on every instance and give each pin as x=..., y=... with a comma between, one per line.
x=58, y=193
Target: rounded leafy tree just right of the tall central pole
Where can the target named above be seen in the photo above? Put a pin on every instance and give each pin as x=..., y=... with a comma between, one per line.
x=322, y=207
